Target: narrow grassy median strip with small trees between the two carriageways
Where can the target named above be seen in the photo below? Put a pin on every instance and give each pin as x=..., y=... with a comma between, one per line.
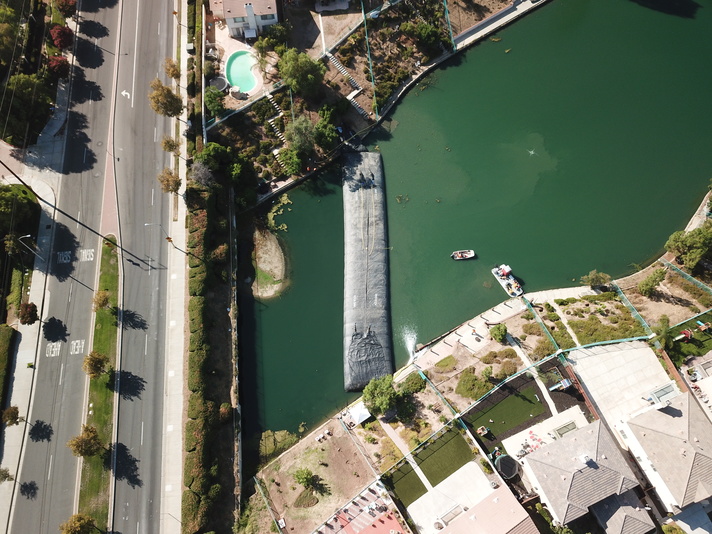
x=94, y=493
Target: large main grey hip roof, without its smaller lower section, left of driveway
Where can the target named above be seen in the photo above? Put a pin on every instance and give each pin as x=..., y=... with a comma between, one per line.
x=579, y=470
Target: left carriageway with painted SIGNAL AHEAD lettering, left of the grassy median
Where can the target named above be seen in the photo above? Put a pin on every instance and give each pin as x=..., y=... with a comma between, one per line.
x=49, y=473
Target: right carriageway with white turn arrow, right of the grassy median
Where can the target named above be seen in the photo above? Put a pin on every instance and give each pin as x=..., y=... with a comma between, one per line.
x=147, y=38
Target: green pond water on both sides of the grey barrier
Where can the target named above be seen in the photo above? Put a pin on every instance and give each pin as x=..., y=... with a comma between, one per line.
x=582, y=148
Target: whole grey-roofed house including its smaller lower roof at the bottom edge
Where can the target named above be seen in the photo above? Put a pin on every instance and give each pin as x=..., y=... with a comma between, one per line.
x=584, y=471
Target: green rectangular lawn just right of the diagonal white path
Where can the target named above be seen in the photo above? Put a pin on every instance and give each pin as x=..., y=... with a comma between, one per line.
x=443, y=456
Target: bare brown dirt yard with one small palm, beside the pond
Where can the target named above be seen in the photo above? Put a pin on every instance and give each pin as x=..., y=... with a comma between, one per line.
x=335, y=459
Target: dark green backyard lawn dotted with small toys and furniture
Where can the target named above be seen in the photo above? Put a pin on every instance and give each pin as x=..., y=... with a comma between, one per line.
x=511, y=412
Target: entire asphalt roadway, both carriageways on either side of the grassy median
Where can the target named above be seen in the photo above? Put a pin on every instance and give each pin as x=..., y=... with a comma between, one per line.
x=111, y=133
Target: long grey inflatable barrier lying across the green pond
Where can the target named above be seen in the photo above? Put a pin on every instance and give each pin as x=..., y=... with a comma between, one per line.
x=368, y=347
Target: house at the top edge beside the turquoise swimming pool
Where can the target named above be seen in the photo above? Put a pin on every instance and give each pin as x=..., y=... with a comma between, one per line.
x=245, y=18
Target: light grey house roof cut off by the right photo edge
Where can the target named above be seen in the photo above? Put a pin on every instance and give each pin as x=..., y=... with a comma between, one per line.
x=677, y=439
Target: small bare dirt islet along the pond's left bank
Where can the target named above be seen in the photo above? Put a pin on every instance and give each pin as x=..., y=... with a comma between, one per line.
x=270, y=265
